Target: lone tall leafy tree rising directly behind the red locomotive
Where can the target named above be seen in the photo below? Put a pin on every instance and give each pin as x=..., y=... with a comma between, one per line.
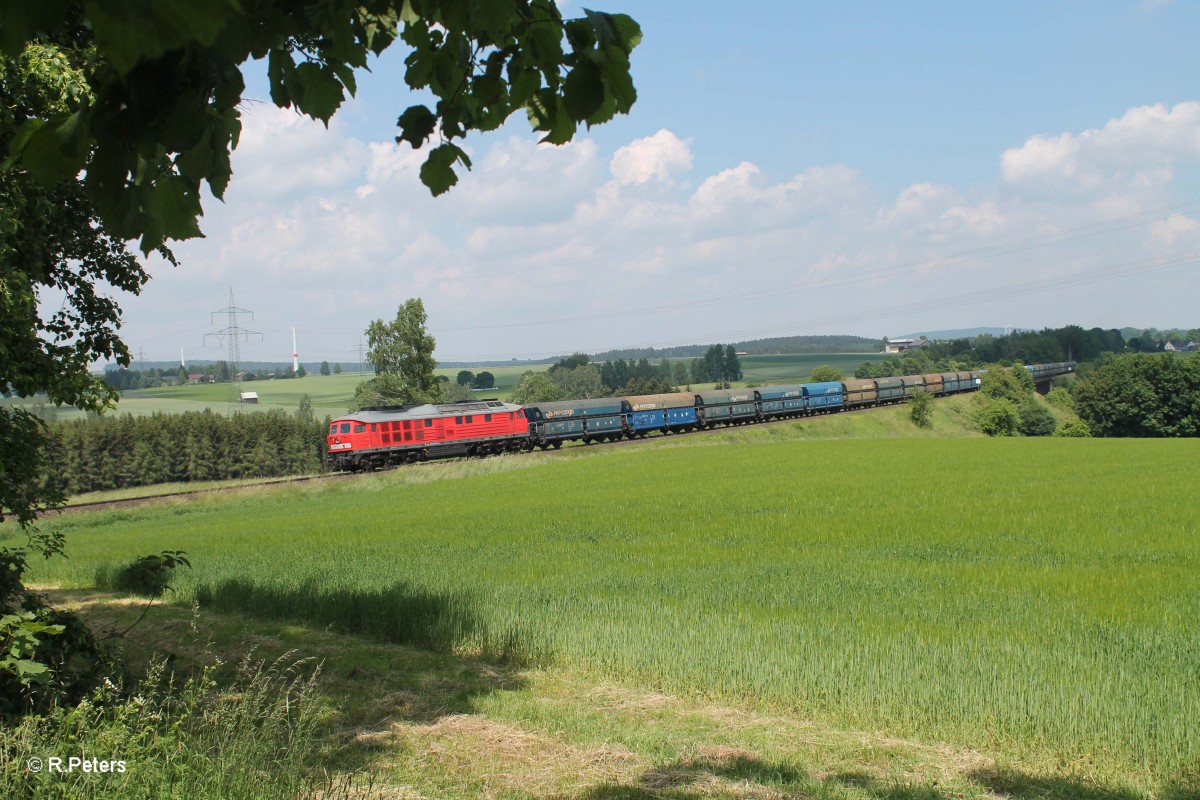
x=401, y=352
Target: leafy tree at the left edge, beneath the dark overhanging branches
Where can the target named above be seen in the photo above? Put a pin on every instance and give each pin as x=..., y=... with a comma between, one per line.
x=51, y=242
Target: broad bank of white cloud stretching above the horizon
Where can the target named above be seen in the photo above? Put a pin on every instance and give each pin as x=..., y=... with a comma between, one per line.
x=329, y=231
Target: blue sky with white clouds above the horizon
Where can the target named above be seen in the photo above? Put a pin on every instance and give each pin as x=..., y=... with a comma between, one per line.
x=789, y=170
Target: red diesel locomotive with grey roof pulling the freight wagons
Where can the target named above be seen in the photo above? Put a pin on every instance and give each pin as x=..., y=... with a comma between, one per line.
x=386, y=437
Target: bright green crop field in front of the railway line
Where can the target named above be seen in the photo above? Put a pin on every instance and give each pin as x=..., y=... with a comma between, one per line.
x=1030, y=599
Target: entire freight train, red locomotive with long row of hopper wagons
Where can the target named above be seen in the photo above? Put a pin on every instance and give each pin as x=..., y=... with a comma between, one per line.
x=376, y=438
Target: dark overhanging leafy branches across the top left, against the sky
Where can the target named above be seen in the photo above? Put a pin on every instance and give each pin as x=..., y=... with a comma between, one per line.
x=159, y=113
